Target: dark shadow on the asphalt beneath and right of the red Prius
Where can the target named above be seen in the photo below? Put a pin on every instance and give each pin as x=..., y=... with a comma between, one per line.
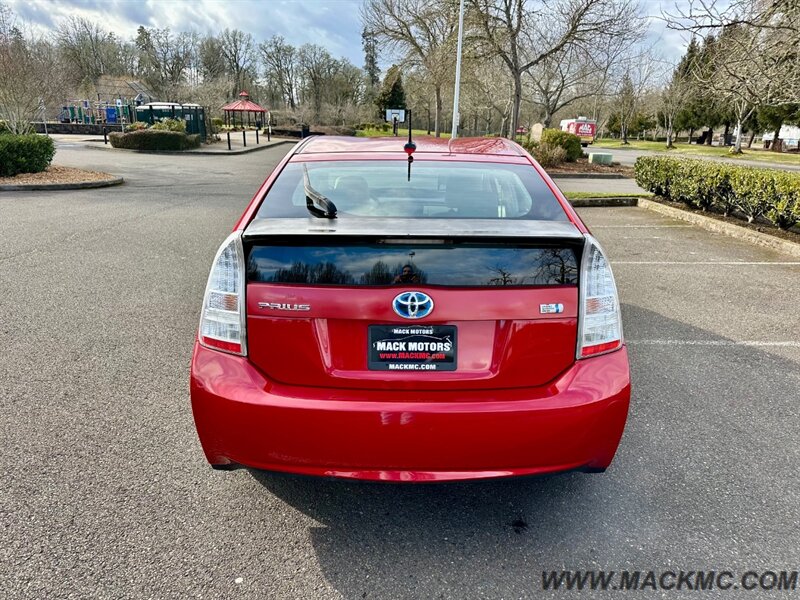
x=687, y=486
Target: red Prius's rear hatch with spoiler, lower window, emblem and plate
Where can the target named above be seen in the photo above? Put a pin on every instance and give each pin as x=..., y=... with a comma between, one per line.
x=328, y=303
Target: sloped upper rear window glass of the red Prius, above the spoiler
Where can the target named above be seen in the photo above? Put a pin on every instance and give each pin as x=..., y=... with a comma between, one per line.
x=438, y=189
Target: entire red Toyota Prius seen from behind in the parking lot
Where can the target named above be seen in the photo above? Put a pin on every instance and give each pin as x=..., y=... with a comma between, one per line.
x=376, y=318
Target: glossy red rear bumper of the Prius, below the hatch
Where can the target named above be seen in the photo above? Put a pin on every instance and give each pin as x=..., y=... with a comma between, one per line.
x=575, y=422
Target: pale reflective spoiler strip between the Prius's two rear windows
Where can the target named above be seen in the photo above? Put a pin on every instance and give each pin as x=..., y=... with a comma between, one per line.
x=413, y=228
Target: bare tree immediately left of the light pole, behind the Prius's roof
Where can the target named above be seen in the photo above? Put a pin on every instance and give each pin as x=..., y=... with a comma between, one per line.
x=422, y=33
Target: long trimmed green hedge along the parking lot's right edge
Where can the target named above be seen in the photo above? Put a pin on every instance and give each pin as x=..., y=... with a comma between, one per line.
x=724, y=186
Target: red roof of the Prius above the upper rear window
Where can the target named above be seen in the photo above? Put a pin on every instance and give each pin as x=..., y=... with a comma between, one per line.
x=495, y=146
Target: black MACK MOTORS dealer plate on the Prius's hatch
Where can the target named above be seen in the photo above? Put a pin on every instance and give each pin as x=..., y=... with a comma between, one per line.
x=412, y=348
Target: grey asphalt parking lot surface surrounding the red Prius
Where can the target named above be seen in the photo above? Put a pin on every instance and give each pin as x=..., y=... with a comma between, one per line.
x=105, y=492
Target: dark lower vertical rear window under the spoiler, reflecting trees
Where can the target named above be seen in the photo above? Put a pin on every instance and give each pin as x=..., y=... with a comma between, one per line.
x=445, y=264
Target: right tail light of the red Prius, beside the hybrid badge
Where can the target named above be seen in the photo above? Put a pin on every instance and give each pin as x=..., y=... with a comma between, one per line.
x=600, y=328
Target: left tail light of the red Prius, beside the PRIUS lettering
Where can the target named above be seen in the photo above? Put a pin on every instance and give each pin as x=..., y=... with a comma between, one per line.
x=222, y=321
